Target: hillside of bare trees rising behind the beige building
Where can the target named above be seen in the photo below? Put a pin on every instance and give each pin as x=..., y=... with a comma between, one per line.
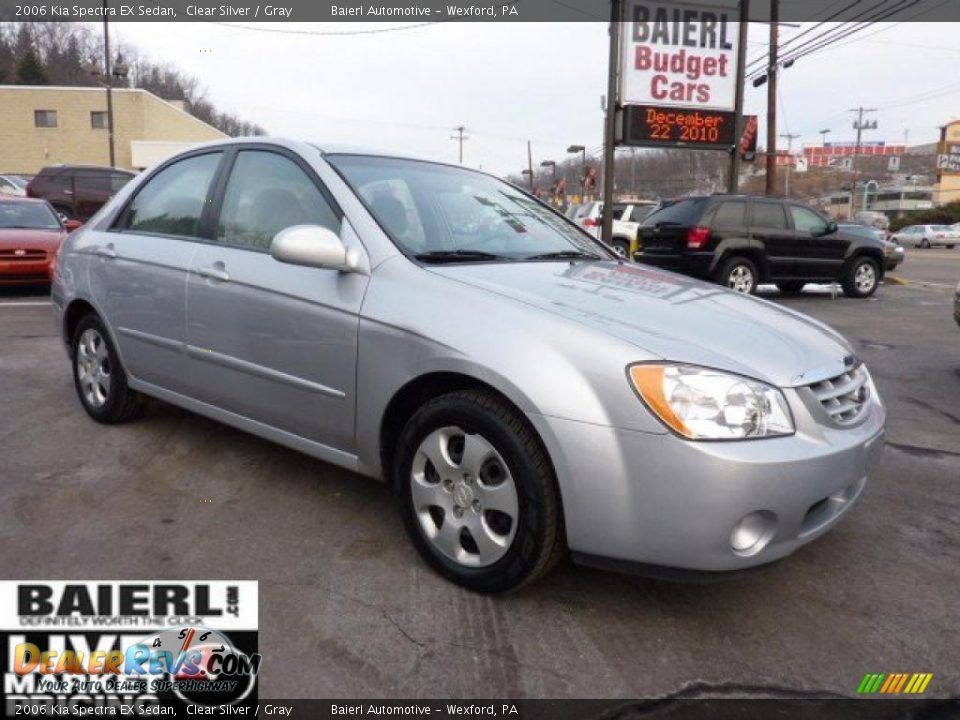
x=71, y=54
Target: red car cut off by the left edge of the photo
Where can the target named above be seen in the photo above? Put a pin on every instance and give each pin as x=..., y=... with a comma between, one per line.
x=30, y=236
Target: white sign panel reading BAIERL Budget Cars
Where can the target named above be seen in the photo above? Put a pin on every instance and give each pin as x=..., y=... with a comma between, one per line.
x=679, y=55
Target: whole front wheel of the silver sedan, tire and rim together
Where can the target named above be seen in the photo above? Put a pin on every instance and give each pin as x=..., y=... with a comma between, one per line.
x=479, y=496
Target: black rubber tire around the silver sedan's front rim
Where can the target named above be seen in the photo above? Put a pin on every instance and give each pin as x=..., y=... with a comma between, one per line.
x=538, y=542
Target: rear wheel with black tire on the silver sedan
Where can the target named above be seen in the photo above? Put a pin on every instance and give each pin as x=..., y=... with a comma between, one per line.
x=120, y=403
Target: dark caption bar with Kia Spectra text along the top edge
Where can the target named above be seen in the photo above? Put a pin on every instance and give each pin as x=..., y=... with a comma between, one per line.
x=389, y=12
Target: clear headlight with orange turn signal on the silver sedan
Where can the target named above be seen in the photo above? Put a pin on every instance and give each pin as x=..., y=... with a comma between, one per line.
x=703, y=404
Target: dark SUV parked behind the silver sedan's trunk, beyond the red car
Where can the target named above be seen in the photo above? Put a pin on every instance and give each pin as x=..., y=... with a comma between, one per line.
x=77, y=191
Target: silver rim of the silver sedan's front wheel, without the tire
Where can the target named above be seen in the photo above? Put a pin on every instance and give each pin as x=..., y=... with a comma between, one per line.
x=464, y=497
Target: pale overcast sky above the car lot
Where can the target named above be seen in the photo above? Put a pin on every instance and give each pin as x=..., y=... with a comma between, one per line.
x=513, y=82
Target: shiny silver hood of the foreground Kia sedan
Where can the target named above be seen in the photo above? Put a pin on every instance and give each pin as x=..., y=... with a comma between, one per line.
x=670, y=316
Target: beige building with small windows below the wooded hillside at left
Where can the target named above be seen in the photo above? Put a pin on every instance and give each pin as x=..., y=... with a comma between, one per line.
x=45, y=125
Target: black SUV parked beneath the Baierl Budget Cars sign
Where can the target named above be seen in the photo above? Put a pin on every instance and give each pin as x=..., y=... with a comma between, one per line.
x=740, y=241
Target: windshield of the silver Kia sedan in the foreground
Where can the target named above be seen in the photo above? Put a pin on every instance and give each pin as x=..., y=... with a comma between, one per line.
x=438, y=212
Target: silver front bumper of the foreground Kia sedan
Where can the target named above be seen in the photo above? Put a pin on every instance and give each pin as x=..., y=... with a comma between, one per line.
x=659, y=500
